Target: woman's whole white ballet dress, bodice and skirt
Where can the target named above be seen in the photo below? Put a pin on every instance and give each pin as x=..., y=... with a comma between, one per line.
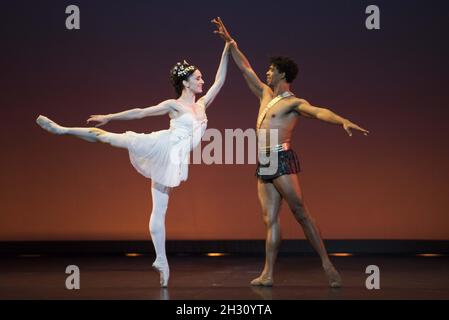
x=163, y=156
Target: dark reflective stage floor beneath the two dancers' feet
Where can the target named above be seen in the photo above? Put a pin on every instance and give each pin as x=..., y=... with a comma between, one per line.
x=199, y=277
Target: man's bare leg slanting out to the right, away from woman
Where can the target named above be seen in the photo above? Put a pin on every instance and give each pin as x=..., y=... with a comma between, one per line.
x=290, y=189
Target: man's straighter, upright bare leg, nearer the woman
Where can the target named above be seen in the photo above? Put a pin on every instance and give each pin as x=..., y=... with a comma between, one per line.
x=270, y=201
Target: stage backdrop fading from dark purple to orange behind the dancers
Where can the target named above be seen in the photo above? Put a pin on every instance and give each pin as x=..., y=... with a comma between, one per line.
x=391, y=185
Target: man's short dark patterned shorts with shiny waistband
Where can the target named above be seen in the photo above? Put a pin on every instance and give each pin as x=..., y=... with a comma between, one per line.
x=288, y=163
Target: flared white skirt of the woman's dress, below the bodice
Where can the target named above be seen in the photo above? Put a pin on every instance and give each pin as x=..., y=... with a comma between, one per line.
x=161, y=156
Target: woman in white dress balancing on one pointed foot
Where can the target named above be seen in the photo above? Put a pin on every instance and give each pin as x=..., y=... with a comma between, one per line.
x=161, y=156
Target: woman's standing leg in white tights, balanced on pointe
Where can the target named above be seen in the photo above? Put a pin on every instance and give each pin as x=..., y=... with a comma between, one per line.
x=160, y=196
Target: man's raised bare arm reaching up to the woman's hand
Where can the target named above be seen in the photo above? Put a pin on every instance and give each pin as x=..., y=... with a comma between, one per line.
x=242, y=62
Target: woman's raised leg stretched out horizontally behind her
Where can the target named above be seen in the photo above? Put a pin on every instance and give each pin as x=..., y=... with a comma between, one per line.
x=88, y=134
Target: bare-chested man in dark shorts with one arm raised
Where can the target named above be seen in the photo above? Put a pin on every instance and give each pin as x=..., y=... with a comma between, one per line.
x=280, y=110
